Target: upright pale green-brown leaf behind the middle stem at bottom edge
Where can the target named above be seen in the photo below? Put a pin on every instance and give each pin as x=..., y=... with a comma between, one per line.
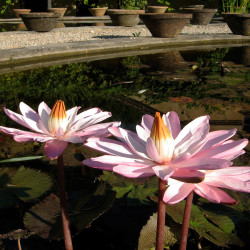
x=147, y=238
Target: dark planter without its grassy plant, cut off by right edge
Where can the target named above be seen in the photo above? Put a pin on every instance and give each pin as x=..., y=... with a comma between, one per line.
x=238, y=23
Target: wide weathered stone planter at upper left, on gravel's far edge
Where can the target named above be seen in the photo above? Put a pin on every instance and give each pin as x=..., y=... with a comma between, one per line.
x=40, y=21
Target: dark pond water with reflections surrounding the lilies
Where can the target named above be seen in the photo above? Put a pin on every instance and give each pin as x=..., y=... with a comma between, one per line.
x=107, y=211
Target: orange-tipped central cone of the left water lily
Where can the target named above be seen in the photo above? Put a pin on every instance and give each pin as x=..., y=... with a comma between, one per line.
x=58, y=118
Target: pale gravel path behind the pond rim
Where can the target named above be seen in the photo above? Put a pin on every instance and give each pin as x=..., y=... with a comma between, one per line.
x=20, y=39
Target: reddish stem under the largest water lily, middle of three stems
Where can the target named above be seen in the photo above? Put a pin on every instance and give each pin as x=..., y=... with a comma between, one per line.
x=161, y=215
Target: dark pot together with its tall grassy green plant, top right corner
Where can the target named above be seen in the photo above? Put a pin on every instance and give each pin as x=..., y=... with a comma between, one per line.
x=235, y=14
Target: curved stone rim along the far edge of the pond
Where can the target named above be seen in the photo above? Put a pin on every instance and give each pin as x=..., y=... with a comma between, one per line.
x=62, y=53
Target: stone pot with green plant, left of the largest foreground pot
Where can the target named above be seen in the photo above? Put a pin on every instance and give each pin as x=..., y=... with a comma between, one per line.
x=129, y=13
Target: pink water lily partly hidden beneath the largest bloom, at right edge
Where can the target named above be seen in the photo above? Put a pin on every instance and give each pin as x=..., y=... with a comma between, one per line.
x=234, y=178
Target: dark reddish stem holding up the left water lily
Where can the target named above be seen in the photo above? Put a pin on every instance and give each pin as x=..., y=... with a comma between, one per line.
x=63, y=204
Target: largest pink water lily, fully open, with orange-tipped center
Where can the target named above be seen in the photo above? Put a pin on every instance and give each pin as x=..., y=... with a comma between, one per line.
x=161, y=147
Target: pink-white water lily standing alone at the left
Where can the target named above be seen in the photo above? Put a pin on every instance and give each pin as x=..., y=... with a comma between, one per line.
x=57, y=127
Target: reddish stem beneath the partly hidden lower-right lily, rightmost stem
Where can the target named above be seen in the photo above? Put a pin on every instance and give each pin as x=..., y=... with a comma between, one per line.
x=185, y=222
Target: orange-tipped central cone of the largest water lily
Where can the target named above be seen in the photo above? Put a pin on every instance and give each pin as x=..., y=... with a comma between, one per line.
x=162, y=139
